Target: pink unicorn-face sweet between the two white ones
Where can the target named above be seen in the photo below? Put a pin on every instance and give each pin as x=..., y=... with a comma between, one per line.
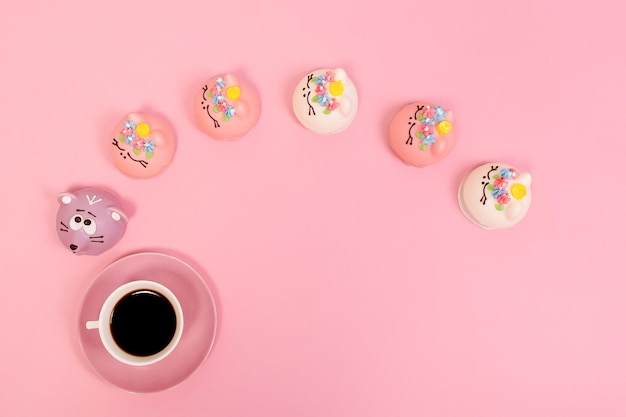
x=422, y=134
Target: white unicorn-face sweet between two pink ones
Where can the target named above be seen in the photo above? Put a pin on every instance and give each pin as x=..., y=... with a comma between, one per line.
x=325, y=101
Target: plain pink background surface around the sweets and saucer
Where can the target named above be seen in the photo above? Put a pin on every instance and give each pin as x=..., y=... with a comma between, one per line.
x=347, y=283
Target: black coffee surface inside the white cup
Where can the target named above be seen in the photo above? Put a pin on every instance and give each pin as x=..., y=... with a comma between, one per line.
x=143, y=323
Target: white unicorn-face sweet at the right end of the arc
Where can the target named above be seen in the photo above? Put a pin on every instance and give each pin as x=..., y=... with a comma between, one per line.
x=495, y=196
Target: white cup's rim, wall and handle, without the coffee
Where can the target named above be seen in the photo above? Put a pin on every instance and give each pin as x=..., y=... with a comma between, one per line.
x=107, y=311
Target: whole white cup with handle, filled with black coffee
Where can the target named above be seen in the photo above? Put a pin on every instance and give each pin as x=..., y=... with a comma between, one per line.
x=140, y=323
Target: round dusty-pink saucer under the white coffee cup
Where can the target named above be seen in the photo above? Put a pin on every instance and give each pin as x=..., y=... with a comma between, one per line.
x=197, y=338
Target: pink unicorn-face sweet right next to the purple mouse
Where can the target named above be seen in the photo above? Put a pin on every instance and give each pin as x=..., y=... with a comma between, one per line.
x=142, y=145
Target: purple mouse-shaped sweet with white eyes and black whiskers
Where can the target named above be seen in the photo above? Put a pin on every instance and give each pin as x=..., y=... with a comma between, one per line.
x=90, y=221
